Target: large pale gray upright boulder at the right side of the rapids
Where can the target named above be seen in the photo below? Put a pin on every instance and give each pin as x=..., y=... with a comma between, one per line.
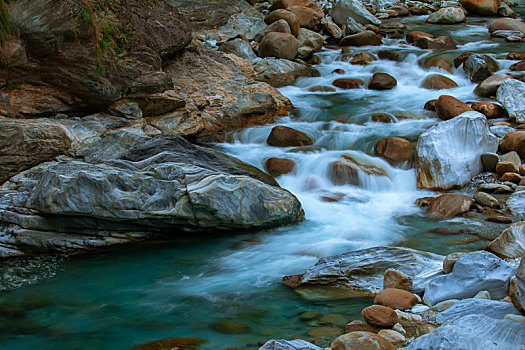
x=438, y=167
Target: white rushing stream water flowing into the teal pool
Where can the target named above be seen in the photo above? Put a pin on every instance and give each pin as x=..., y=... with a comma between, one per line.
x=135, y=295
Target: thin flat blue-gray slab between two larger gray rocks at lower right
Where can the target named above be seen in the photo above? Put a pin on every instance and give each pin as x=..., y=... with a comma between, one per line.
x=490, y=308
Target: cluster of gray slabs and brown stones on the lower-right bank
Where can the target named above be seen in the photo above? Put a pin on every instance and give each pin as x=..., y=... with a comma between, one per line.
x=421, y=300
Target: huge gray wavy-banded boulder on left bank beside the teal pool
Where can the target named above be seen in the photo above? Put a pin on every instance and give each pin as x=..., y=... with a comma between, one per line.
x=128, y=187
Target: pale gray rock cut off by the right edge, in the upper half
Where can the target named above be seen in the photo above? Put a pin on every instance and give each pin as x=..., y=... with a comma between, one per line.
x=511, y=94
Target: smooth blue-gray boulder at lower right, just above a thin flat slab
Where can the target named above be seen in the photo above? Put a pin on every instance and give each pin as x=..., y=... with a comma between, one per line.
x=472, y=273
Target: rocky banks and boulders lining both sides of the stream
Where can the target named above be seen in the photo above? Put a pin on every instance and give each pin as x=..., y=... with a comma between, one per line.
x=94, y=159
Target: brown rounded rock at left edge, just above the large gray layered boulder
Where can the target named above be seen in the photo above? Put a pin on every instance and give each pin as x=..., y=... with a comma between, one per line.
x=26, y=143
